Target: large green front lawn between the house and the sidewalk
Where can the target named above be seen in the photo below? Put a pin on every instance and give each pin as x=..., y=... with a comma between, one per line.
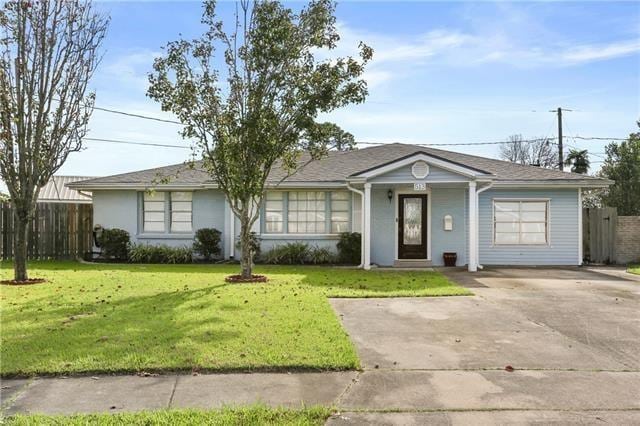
x=129, y=318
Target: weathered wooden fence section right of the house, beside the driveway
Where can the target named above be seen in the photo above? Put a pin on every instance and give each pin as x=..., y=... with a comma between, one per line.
x=599, y=234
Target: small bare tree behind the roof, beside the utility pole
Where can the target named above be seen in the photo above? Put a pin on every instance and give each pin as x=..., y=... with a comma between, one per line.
x=534, y=152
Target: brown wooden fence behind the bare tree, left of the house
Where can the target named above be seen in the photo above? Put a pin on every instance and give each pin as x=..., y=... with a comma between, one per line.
x=58, y=231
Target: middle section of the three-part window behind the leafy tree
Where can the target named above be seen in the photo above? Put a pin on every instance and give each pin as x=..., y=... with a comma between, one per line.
x=307, y=213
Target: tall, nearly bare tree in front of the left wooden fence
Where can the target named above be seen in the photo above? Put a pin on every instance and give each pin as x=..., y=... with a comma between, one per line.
x=49, y=49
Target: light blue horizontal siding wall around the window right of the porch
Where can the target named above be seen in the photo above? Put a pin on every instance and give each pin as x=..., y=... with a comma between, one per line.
x=563, y=230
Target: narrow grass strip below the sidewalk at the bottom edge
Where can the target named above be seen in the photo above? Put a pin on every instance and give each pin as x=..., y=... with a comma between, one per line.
x=253, y=415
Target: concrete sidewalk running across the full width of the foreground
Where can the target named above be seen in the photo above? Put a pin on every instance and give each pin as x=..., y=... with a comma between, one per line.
x=372, y=390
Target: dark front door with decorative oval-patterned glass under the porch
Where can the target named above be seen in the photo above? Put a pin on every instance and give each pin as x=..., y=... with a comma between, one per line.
x=412, y=226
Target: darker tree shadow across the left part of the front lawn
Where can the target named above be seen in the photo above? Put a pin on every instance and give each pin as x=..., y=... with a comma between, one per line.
x=132, y=334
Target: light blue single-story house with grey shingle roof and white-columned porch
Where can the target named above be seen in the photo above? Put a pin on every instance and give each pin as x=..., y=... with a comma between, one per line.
x=411, y=204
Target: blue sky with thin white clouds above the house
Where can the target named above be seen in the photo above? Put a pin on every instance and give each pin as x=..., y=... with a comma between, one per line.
x=442, y=73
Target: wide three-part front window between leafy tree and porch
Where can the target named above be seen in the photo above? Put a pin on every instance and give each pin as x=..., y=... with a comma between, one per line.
x=307, y=212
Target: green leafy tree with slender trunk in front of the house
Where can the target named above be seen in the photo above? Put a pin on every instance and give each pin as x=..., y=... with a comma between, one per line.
x=251, y=97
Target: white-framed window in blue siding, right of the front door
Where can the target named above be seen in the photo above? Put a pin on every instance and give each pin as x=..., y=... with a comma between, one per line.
x=522, y=222
